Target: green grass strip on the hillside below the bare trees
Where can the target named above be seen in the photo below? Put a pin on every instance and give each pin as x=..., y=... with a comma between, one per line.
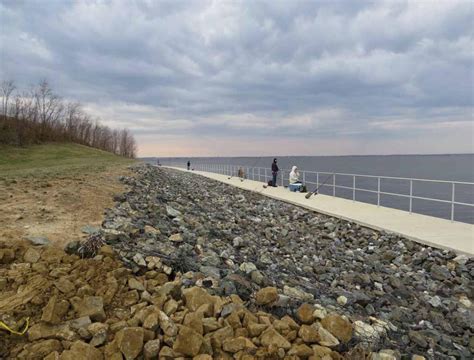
x=55, y=159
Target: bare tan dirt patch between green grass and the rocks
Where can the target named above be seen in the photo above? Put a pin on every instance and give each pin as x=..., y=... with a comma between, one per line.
x=57, y=207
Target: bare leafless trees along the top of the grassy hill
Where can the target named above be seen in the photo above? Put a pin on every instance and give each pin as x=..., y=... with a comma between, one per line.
x=38, y=115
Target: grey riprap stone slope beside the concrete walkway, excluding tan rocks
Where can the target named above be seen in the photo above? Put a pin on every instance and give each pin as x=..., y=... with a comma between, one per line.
x=400, y=294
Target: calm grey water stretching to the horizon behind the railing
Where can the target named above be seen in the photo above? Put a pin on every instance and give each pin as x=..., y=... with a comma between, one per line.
x=434, y=167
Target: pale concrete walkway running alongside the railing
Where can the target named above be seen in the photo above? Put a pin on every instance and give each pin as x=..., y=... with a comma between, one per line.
x=428, y=230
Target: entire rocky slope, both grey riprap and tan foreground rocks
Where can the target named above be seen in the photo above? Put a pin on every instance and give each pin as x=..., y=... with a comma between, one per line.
x=187, y=267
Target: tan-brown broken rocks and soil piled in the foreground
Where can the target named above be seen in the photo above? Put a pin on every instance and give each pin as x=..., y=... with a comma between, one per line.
x=98, y=309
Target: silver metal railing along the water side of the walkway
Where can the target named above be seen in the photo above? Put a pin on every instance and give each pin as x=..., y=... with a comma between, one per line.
x=329, y=180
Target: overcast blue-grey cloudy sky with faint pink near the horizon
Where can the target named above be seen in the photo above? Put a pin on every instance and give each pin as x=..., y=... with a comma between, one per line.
x=256, y=77
